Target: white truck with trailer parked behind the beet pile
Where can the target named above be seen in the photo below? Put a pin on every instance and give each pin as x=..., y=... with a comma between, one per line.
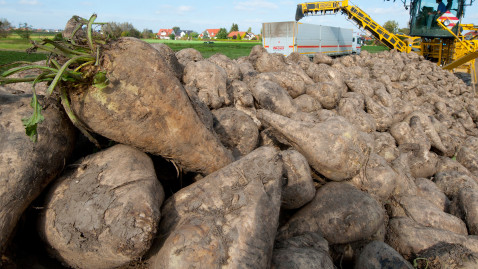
x=307, y=39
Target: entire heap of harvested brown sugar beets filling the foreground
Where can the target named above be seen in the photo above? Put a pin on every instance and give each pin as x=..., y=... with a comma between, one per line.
x=266, y=161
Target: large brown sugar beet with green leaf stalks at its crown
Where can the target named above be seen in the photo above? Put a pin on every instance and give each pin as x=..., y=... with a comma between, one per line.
x=146, y=106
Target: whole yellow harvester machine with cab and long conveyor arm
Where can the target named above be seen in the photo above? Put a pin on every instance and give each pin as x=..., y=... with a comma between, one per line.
x=437, y=36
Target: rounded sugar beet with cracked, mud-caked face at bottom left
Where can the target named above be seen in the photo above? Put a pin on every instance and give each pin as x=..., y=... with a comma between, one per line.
x=103, y=211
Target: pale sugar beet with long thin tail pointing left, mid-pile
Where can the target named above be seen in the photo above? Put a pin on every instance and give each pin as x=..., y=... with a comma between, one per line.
x=334, y=148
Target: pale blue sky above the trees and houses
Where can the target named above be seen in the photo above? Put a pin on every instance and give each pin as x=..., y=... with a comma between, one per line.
x=193, y=15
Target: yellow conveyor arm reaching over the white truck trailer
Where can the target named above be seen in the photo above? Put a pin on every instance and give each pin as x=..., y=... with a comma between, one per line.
x=357, y=15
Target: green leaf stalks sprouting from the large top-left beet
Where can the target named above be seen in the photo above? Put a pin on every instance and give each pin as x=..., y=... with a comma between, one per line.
x=70, y=61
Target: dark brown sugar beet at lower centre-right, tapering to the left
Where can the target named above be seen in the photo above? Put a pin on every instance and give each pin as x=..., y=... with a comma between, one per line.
x=340, y=212
